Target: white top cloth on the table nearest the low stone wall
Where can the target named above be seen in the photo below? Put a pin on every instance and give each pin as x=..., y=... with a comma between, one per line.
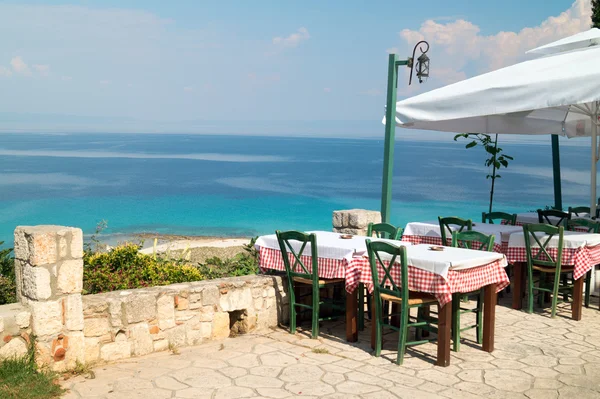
x=329, y=245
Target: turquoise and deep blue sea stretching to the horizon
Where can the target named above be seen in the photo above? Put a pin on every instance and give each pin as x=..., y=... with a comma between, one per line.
x=216, y=185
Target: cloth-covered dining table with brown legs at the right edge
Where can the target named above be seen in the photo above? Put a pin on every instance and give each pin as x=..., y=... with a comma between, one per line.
x=580, y=249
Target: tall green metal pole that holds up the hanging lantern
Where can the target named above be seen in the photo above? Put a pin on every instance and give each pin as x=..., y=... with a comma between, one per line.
x=390, y=137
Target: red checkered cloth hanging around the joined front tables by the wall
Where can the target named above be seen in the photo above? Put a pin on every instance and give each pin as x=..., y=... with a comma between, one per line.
x=358, y=271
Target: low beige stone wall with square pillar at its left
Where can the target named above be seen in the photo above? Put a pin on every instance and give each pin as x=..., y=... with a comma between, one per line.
x=71, y=328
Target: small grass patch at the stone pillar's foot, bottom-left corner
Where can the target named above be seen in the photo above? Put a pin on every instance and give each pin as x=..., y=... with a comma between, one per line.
x=21, y=379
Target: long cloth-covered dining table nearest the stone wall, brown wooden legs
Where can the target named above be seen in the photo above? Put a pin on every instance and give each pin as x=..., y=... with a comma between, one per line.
x=441, y=273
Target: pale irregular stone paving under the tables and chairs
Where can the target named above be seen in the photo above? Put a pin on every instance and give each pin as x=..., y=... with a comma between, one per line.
x=535, y=357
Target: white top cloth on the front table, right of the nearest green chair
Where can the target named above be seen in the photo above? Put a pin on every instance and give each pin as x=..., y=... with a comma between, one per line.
x=440, y=262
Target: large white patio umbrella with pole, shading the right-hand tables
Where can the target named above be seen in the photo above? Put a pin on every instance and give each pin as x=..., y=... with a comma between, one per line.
x=558, y=94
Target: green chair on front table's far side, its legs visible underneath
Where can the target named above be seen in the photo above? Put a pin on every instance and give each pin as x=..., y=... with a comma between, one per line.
x=478, y=241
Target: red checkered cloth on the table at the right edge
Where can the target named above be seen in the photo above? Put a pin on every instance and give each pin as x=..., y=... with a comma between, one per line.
x=581, y=258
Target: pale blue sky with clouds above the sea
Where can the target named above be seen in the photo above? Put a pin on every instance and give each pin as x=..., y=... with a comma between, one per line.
x=269, y=67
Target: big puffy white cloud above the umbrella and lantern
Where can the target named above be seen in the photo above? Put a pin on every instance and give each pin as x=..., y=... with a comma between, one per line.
x=459, y=49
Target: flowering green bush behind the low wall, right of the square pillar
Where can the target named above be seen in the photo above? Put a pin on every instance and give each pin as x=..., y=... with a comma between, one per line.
x=125, y=268
